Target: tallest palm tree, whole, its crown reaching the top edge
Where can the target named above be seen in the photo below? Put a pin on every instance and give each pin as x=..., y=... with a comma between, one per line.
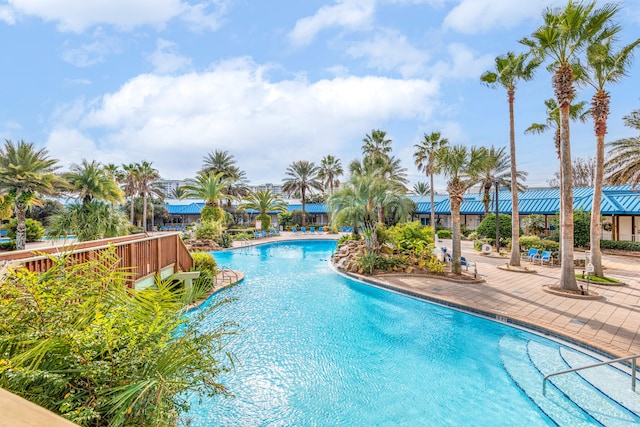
x=564, y=36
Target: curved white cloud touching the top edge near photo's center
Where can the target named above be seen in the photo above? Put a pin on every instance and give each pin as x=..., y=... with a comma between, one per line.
x=349, y=14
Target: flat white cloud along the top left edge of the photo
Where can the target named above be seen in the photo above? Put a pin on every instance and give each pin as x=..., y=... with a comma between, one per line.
x=77, y=16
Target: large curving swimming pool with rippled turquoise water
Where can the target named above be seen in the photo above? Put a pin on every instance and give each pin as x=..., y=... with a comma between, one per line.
x=318, y=349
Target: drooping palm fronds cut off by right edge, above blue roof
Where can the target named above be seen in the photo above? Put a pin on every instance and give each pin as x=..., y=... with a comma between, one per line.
x=623, y=165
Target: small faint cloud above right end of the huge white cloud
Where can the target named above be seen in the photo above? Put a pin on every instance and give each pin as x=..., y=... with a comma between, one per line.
x=389, y=50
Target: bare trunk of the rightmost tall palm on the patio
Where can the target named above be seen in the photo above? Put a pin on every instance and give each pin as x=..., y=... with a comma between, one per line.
x=600, y=111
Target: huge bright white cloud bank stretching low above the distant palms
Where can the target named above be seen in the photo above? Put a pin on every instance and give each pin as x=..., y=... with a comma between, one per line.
x=175, y=120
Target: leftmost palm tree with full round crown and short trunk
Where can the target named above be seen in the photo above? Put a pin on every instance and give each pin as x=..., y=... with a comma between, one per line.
x=26, y=173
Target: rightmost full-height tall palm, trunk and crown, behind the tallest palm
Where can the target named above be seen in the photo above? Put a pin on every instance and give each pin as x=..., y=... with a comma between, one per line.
x=606, y=66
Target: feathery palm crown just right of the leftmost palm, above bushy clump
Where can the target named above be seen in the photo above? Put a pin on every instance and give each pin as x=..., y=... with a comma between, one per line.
x=91, y=181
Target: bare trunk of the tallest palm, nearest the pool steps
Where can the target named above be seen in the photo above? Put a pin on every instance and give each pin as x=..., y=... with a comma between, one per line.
x=567, y=273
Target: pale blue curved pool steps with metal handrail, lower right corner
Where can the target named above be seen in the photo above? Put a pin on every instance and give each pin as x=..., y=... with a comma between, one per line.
x=600, y=397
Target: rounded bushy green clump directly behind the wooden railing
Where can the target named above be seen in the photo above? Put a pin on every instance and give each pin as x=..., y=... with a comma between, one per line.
x=90, y=221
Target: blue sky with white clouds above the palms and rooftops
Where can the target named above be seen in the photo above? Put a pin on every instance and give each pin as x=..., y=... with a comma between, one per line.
x=273, y=82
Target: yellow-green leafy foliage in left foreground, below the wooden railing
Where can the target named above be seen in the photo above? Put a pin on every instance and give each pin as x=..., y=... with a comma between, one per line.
x=76, y=340
